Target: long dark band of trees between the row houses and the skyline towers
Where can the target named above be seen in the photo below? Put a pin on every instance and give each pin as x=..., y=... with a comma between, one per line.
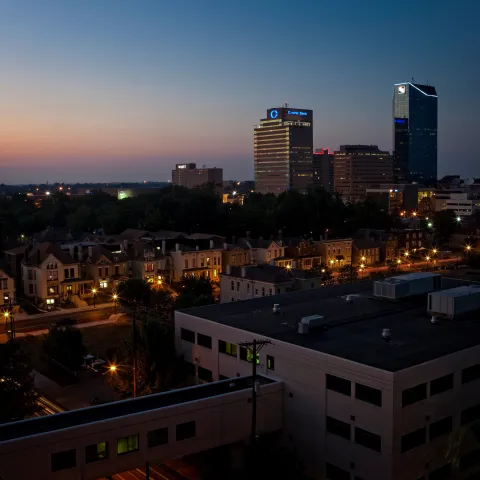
x=195, y=210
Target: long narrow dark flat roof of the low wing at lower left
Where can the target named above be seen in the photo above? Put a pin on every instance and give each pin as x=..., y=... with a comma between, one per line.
x=84, y=416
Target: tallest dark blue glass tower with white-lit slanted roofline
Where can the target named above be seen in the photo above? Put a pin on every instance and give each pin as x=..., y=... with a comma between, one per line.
x=415, y=133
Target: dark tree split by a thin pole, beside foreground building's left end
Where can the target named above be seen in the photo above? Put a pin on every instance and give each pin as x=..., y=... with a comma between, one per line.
x=158, y=367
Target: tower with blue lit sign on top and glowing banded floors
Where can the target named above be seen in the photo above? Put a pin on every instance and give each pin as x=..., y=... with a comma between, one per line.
x=283, y=147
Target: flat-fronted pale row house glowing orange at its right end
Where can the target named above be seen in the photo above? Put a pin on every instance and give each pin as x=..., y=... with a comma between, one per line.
x=196, y=261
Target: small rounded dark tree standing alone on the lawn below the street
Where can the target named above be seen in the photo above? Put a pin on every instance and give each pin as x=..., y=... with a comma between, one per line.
x=65, y=345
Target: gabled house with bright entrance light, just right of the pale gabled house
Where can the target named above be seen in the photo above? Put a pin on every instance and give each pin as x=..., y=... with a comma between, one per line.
x=107, y=268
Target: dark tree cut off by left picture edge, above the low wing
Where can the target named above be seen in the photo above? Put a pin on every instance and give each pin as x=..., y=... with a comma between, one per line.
x=17, y=391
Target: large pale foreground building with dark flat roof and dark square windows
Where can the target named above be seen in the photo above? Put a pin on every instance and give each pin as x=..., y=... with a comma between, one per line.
x=372, y=389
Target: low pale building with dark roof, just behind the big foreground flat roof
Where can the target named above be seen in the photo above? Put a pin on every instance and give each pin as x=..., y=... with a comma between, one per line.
x=242, y=283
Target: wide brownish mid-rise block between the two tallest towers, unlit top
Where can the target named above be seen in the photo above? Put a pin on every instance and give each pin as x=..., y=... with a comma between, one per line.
x=360, y=167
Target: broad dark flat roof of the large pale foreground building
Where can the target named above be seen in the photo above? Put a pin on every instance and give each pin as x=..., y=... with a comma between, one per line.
x=353, y=330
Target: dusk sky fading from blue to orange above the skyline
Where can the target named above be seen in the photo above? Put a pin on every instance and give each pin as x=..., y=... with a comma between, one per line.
x=121, y=90
